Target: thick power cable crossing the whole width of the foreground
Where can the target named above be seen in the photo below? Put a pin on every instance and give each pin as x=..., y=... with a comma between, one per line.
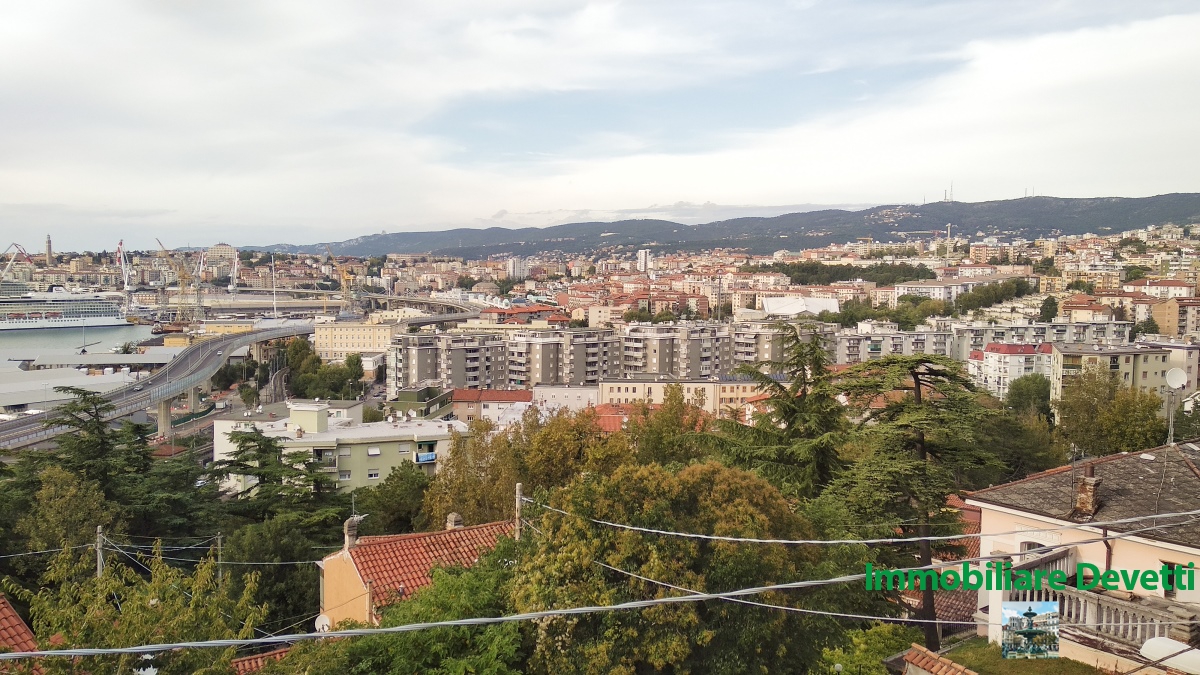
x=524, y=617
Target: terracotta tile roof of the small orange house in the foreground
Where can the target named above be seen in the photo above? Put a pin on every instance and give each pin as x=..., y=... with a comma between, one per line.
x=405, y=561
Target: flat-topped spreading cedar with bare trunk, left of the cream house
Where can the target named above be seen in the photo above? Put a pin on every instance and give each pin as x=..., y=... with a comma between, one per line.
x=926, y=425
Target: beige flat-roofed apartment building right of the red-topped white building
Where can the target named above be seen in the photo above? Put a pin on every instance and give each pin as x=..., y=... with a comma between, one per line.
x=1135, y=366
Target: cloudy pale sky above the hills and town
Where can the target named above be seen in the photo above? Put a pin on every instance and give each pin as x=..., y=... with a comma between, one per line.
x=196, y=122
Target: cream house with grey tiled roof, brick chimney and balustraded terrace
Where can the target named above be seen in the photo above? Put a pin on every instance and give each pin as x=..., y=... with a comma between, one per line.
x=1041, y=524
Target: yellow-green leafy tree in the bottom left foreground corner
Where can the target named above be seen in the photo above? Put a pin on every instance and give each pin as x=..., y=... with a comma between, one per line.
x=122, y=608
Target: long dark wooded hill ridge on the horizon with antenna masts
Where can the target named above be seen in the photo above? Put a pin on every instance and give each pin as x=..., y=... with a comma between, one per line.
x=1029, y=218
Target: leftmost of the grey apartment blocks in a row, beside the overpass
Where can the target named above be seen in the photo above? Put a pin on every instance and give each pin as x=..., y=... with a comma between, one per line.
x=455, y=361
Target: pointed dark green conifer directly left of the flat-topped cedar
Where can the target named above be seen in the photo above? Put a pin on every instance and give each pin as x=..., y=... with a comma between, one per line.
x=794, y=443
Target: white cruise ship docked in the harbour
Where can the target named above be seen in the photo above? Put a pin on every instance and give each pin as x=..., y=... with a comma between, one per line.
x=59, y=310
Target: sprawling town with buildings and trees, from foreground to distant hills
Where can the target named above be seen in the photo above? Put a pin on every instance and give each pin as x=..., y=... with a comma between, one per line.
x=382, y=434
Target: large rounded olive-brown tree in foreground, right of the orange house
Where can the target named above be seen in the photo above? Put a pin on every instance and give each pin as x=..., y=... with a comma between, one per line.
x=571, y=568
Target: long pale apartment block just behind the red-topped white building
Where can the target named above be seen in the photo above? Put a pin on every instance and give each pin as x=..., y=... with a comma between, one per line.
x=970, y=337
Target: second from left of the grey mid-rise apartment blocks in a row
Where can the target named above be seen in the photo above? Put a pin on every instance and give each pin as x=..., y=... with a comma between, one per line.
x=563, y=357
